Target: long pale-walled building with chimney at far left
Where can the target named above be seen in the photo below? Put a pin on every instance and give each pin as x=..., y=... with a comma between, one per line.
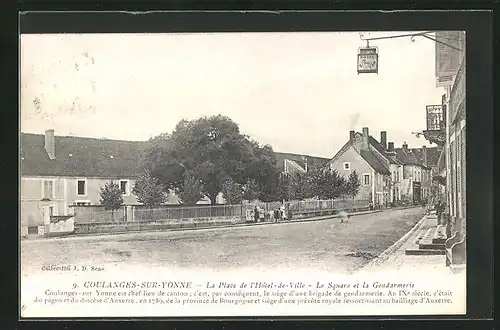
x=59, y=171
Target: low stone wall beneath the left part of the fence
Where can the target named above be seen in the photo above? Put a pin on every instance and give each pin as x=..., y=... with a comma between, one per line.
x=110, y=227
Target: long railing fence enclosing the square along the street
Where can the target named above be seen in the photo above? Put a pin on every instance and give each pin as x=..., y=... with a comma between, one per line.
x=140, y=213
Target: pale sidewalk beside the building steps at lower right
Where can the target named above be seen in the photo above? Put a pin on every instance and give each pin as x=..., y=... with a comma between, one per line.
x=395, y=258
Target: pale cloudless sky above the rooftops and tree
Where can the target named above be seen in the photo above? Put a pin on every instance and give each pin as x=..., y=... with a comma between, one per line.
x=299, y=92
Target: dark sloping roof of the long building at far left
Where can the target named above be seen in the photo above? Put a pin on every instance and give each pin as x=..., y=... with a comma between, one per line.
x=78, y=156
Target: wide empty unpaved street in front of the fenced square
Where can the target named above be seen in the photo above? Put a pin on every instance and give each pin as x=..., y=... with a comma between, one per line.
x=326, y=245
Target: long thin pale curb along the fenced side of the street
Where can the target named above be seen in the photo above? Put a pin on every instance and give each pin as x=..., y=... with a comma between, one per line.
x=83, y=236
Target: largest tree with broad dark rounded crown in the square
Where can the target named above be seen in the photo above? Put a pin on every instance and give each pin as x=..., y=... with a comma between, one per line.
x=211, y=150
